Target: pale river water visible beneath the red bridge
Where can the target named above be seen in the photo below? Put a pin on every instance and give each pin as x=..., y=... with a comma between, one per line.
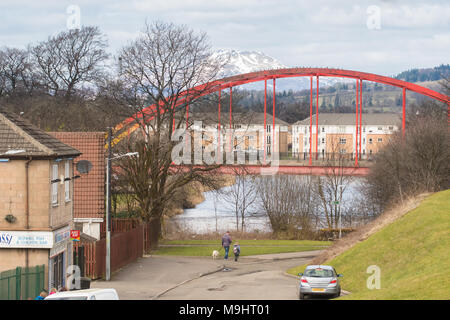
x=217, y=213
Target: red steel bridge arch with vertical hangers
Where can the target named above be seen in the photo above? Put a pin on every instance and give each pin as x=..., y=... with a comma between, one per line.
x=233, y=81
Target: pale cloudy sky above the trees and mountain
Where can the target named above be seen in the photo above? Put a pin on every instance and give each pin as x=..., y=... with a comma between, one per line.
x=383, y=37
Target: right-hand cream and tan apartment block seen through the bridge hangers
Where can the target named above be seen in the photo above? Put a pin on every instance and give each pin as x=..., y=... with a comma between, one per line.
x=337, y=133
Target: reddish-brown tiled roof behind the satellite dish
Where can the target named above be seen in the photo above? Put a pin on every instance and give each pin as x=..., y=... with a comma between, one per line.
x=89, y=189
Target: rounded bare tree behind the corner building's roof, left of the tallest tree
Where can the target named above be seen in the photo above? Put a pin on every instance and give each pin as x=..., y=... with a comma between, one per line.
x=70, y=59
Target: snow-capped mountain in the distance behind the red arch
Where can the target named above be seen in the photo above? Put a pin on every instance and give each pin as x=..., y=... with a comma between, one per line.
x=238, y=62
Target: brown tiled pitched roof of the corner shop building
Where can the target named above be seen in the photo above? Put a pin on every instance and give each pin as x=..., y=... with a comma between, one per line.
x=19, y=139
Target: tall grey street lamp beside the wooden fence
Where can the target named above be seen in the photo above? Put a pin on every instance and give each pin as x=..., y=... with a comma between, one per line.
x=108, y=202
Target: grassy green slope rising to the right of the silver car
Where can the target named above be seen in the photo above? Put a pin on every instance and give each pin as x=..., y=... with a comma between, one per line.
x=413, y=254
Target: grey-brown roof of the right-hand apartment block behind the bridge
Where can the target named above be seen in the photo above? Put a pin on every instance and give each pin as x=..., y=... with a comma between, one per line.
x=350, y=119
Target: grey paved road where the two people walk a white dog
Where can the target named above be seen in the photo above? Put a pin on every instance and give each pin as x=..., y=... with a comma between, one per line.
x=201, y=278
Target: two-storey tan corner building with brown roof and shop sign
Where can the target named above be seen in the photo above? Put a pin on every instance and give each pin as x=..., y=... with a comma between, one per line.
x=36, y=199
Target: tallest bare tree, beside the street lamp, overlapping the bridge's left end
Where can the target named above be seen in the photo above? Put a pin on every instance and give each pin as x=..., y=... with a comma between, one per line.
x=160, y=67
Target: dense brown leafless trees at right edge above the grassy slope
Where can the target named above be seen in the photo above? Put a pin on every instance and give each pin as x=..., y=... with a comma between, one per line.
x=418, y=162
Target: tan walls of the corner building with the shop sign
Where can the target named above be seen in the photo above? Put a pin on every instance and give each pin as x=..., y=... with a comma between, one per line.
x=43, y=216
